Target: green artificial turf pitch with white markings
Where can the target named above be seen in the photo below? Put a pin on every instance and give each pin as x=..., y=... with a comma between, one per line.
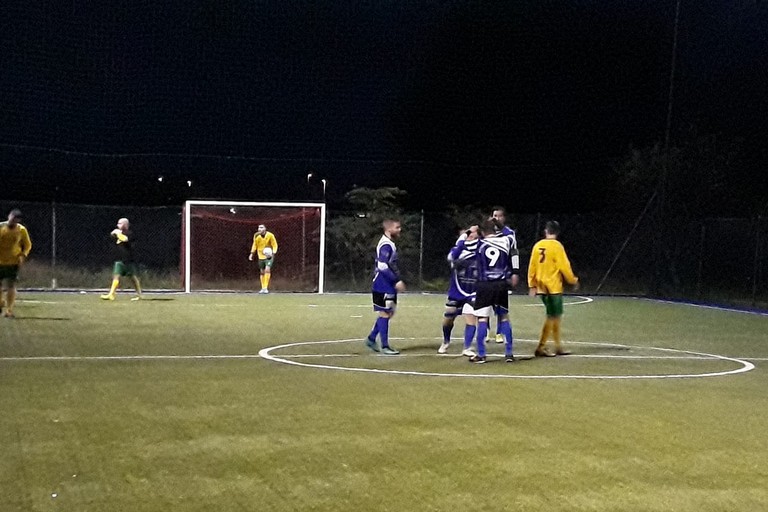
x=273, y=403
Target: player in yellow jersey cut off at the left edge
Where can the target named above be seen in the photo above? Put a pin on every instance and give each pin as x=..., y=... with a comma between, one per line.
x=14, y=250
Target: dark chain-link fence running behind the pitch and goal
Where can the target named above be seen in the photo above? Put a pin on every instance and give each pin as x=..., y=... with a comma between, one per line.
x=711, y=260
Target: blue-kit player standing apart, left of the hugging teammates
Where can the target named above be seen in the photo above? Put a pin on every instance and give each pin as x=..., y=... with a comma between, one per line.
x=385, y=287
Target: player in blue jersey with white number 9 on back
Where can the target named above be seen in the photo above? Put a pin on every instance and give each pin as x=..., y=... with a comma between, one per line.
x=498, y=268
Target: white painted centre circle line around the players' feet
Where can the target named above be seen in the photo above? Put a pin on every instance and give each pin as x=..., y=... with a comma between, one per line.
x=745, y=365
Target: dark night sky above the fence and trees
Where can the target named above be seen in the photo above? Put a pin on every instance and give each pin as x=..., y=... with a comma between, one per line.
x=455, y=102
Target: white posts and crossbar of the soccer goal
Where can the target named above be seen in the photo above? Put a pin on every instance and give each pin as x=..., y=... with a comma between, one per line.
x=188, y=233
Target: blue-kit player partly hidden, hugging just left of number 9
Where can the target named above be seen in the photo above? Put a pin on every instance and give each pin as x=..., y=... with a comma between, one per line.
x=461, y=291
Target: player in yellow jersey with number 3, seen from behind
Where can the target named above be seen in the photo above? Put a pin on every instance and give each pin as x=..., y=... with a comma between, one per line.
x=548, y=268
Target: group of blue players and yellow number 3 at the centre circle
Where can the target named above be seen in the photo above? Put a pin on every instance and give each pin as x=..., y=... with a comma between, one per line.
x=485, y=265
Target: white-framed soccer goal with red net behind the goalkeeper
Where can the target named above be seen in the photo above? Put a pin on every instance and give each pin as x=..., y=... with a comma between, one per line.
x=217, y=236
